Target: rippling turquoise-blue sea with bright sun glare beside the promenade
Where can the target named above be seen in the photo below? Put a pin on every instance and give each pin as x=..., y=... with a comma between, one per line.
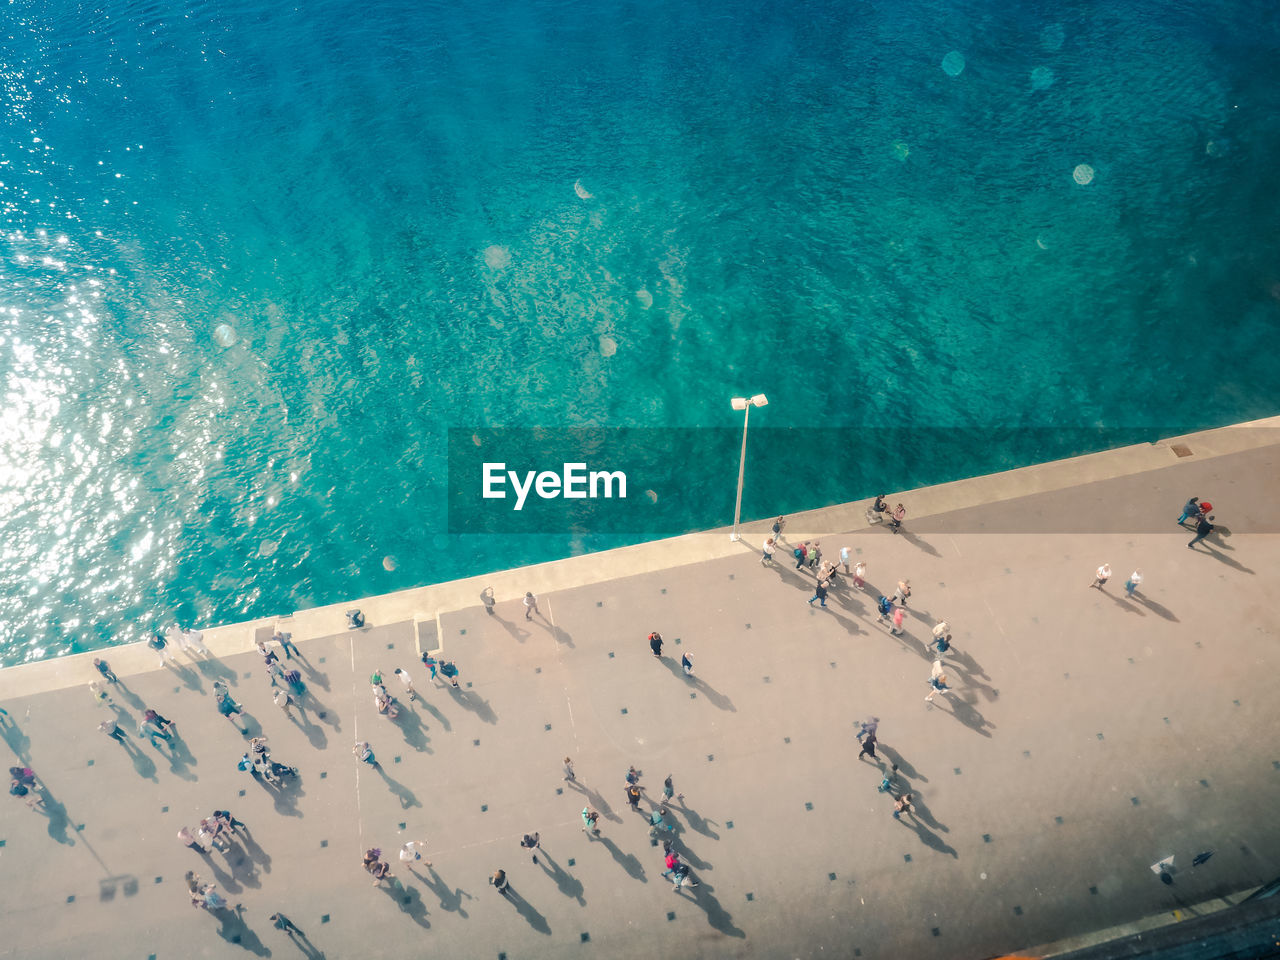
x=260, y=259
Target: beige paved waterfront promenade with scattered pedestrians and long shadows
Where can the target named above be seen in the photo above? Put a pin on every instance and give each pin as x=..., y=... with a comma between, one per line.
x=1089, y=737
